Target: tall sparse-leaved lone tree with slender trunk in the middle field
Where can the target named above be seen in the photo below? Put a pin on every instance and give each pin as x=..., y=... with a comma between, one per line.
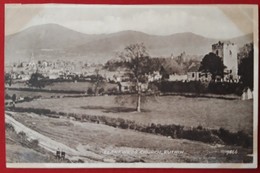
x=139, y=65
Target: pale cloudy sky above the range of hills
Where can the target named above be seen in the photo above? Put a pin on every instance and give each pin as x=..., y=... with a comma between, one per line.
x=221, y=22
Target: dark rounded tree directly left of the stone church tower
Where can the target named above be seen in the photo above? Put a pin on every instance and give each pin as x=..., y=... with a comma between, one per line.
x=213, y=64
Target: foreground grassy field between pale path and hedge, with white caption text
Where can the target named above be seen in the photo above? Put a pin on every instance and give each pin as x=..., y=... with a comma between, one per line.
x=127, y=145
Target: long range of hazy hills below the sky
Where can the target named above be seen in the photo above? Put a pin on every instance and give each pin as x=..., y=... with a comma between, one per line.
x=52, y=41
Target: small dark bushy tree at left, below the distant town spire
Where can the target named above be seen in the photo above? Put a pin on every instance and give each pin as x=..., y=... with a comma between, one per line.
x=37, y=80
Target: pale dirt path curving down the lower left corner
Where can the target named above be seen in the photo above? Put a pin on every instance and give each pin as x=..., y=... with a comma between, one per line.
x=52, y=145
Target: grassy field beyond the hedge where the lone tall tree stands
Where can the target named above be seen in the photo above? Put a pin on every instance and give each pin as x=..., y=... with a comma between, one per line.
x=233, y=115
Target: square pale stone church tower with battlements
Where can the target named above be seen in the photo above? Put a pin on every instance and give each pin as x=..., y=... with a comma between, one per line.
x=228, y=52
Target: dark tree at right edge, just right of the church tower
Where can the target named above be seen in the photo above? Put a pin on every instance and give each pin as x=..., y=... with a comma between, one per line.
x=246, y=70
